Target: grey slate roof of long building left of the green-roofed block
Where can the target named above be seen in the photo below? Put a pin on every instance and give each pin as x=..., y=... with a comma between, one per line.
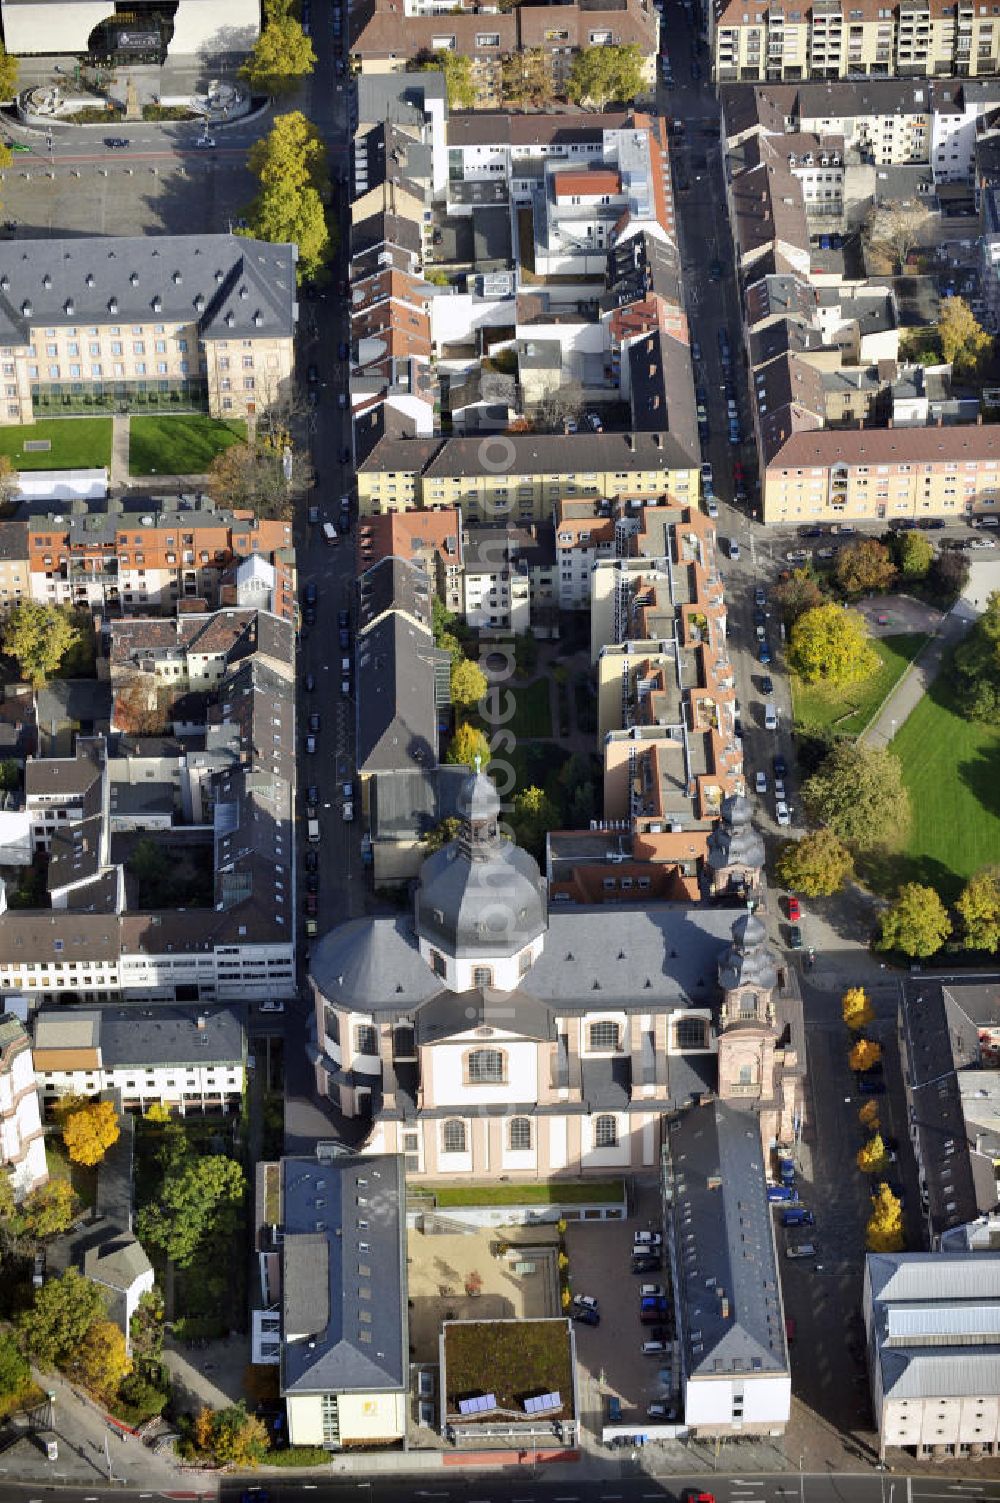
x=345, y=1275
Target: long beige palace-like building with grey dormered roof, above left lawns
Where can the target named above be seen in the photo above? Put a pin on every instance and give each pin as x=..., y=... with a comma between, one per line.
x=202, y=319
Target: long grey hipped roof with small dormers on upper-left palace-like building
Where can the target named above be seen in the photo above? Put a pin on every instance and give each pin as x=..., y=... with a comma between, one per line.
x=229, y=286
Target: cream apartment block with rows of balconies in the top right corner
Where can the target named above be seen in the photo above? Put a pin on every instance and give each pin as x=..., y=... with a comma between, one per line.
x=915, y=40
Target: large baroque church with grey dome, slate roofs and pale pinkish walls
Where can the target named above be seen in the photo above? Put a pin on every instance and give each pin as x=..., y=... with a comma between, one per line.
x=613, y=1023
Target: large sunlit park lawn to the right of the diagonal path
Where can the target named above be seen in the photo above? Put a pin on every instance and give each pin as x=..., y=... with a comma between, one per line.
x=953, y=772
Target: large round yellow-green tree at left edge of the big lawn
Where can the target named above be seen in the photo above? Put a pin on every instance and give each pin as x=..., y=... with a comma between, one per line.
x=859, y=793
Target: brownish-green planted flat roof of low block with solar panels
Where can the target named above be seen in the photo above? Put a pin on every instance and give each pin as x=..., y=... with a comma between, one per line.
x=512, y=1361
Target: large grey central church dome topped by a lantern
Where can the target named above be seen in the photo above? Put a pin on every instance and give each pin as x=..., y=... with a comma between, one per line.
x=480, y=897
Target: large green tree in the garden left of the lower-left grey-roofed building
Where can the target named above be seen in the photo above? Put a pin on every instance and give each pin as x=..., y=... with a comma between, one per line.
x=198, y=1209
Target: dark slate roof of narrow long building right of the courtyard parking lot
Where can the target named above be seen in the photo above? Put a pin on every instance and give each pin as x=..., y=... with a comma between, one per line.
x=726, y=1242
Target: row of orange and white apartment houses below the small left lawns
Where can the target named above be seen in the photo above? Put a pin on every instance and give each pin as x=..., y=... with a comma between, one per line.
x=127, y=555
